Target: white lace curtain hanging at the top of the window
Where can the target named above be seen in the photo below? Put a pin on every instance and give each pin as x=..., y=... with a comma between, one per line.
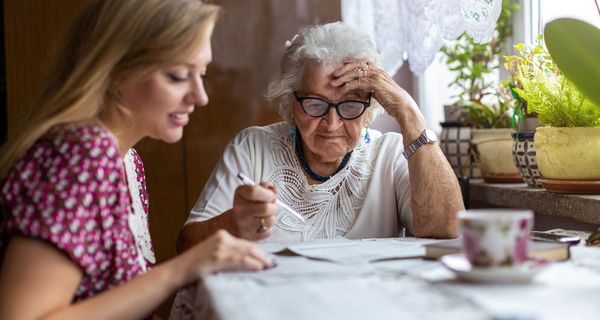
x=415, y=30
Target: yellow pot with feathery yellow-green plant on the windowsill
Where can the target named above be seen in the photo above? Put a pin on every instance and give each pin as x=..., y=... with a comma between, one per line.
x=568, y=144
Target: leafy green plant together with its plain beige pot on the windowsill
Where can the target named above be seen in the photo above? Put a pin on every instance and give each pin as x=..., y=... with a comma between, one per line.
x=486, y=109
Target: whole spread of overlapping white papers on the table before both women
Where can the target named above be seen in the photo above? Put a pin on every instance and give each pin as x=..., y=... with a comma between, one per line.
x=327, y=259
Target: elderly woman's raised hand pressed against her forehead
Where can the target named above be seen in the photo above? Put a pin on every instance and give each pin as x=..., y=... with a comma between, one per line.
x=364, y=75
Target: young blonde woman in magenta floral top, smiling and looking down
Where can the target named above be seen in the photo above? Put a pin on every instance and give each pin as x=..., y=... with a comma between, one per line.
x=74, y=238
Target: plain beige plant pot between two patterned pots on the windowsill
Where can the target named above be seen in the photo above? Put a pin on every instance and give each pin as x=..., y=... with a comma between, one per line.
x=492, y=151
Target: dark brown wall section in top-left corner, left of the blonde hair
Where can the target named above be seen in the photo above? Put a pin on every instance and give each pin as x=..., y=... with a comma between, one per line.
x=33, y=29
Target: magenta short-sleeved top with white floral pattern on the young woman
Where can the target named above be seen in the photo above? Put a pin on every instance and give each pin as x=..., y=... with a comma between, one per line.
x=70, y=190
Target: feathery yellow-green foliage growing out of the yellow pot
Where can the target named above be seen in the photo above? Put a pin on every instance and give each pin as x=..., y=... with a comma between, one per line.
x=536, y=80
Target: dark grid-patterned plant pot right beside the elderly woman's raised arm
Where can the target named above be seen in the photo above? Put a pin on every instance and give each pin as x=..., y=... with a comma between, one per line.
x=455, y=142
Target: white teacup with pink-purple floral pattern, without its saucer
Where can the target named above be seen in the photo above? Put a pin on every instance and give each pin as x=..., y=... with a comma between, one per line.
x=495, y=237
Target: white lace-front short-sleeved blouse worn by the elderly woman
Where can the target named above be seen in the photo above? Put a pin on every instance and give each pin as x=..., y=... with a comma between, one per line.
x=370, y=197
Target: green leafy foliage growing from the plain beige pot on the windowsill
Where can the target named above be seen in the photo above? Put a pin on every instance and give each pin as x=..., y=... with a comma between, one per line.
x=474, y=64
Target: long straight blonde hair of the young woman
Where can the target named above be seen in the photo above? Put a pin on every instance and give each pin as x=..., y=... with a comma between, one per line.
x=111, y=41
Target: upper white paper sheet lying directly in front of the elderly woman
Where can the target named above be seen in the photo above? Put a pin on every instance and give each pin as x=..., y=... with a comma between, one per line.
x=361, y=251
